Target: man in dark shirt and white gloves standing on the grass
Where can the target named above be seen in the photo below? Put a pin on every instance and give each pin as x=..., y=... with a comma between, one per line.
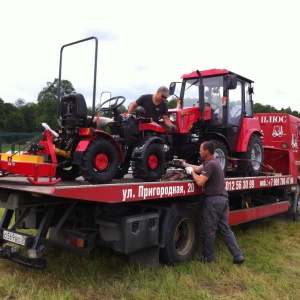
x=215, y=213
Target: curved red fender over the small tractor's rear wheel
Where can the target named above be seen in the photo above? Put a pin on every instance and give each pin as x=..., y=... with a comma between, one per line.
x=83, y=144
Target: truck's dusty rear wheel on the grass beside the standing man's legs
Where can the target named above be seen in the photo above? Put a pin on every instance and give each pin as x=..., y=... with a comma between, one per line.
x=183, y=238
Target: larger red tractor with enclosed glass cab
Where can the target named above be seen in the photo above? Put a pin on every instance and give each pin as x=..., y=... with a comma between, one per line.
x=217, y=105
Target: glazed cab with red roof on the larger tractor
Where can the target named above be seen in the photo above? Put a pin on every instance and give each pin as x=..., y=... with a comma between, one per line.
x=220, y=97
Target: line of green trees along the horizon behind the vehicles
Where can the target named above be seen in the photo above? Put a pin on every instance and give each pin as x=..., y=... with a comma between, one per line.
x=28, y=117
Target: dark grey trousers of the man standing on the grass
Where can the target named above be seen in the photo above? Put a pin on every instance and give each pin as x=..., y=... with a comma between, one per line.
x=215, y=216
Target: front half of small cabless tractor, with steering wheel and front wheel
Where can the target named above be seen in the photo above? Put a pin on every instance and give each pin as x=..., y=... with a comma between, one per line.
x=144, y=143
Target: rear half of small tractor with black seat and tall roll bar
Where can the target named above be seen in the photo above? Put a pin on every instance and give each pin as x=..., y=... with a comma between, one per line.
x=80, y=149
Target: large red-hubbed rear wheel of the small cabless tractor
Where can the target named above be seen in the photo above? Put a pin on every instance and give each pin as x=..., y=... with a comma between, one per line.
x=100, y=162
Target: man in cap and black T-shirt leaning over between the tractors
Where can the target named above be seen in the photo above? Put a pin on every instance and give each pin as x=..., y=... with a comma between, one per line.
x=155, y=106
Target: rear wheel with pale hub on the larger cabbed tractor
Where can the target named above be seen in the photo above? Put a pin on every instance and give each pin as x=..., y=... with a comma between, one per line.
x=251, y=161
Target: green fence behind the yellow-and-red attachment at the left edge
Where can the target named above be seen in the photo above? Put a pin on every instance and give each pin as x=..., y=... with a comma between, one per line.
x=14, y=142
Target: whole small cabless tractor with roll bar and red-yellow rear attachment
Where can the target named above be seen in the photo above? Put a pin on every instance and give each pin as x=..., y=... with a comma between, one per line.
x=79, y=148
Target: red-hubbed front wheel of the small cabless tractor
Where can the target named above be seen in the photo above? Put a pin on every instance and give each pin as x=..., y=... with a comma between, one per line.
x=151, y=167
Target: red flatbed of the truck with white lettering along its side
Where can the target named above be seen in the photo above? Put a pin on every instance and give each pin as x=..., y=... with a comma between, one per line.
x=129, y=189
